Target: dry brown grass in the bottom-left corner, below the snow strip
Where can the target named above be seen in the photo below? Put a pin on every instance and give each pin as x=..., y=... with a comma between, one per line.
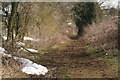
x=11, y=68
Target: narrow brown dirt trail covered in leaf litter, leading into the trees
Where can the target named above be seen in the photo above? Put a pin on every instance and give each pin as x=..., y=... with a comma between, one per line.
x=74, y=62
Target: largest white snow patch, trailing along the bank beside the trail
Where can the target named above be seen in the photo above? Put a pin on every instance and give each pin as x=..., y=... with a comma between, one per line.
x=29, y=66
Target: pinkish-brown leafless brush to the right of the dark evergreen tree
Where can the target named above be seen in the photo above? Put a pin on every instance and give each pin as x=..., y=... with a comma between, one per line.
x=102, y=35
